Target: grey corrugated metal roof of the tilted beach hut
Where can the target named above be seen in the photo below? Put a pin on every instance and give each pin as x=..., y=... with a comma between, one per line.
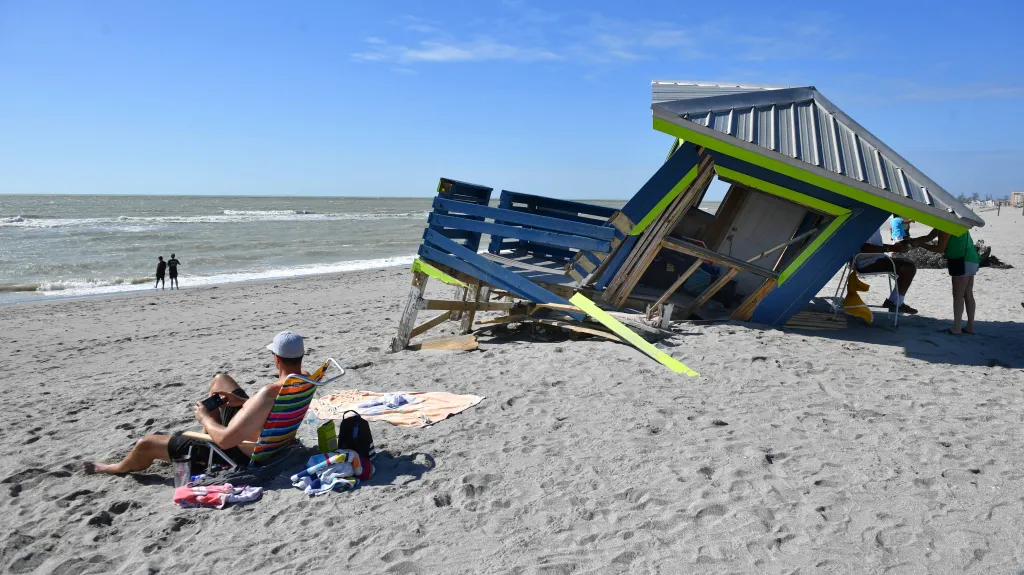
x=804, y=127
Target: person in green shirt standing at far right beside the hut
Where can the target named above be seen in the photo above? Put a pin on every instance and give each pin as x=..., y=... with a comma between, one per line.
x=963, y=263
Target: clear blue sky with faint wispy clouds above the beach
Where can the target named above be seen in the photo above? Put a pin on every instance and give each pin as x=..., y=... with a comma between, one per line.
x=349, y=99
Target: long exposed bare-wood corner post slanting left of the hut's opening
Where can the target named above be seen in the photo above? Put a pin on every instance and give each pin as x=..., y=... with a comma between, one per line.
x=647, y=249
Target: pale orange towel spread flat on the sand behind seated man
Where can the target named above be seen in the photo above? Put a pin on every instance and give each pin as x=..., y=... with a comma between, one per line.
x=414, y=410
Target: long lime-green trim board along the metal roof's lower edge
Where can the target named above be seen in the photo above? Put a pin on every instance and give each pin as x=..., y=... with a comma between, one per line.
x=806, y=176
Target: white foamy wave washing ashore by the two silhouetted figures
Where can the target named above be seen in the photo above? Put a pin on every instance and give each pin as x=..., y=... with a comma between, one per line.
x=78, y=288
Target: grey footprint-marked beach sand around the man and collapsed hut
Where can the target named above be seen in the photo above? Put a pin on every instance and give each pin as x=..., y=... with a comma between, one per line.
x=863, y=451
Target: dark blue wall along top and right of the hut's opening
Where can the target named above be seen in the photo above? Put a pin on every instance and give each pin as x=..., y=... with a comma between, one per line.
x=785, y=301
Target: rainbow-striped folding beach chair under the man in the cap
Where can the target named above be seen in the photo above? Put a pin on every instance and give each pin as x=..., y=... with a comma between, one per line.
x=289, y=410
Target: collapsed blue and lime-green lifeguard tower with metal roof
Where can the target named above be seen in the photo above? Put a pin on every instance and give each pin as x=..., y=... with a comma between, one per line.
x=808, y=186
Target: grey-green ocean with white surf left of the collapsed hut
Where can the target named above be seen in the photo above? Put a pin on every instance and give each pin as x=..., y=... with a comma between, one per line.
x=74, y=246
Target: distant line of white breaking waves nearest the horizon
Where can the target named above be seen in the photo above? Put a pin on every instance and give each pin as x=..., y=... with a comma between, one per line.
x=134, y=224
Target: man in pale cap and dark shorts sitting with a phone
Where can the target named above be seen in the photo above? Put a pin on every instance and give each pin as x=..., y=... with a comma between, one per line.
x=229, y=416
